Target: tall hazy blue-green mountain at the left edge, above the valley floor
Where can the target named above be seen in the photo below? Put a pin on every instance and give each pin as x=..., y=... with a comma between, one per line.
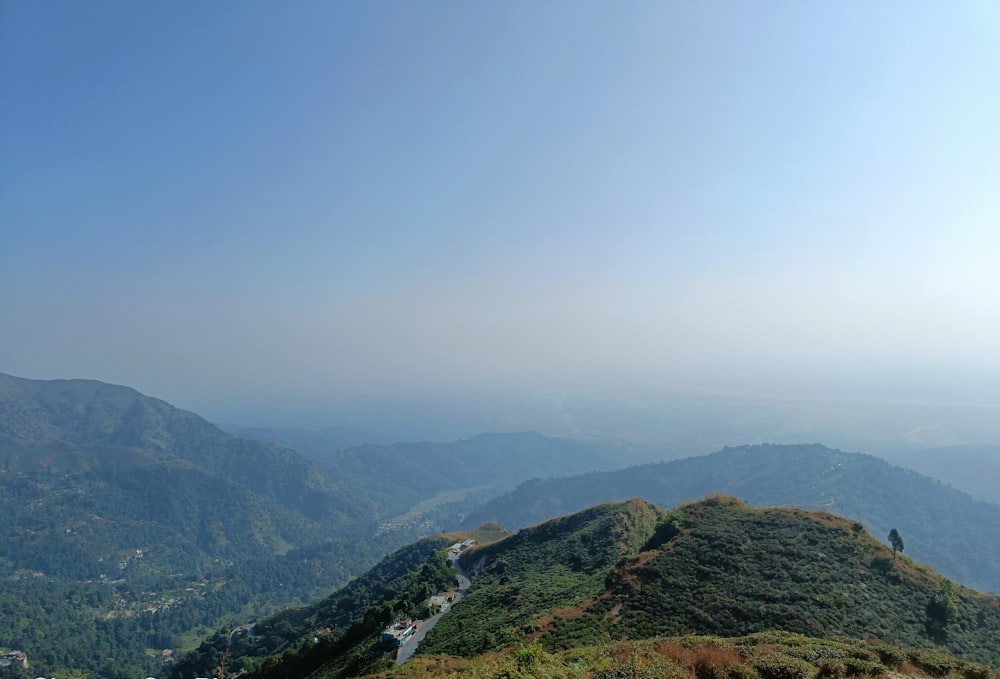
x=94, y=471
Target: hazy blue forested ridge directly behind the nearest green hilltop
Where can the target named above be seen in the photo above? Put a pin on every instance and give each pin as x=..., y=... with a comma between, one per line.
x=957, y=535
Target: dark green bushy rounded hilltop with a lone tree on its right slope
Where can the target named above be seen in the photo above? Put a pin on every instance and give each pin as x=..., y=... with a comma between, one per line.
x=732, y=570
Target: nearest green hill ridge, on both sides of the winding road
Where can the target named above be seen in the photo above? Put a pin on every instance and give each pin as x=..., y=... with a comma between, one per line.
x=635, y=571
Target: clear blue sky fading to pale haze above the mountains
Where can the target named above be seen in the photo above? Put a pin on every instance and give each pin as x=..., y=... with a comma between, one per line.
x=254, y=201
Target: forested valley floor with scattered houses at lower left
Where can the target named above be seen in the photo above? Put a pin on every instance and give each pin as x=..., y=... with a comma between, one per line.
x=116, y=625
